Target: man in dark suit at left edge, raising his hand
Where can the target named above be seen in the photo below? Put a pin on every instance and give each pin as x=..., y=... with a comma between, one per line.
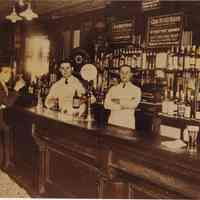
x=7, y=98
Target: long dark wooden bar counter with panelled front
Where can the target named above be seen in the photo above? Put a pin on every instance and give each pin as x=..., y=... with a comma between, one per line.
x=52, y=155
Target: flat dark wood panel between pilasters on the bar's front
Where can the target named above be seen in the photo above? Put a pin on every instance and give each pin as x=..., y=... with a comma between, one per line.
x=69, y=176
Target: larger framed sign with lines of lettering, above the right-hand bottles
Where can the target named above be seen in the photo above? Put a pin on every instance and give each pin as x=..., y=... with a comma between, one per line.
x=165, y=30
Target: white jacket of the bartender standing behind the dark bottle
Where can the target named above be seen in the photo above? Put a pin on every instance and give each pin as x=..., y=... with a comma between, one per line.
x=65, y=92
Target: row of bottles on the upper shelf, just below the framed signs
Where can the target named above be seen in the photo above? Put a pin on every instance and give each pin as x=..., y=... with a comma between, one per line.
x=174, y=58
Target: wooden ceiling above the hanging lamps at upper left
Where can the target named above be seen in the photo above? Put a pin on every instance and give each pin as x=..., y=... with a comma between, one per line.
x=54, y=9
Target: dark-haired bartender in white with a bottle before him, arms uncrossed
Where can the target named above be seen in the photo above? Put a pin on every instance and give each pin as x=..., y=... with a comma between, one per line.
x=65, y=89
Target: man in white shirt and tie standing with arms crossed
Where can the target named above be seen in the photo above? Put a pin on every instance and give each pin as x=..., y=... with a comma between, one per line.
x=122, y=100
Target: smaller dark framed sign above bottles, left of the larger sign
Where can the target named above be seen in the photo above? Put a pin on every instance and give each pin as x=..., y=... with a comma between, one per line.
x=123, y=31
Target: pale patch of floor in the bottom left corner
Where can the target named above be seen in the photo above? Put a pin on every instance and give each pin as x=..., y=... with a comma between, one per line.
x=8, y=188
